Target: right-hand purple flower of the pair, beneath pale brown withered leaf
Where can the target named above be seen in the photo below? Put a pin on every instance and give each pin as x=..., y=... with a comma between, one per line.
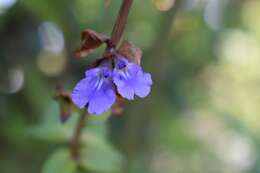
x=130, y=79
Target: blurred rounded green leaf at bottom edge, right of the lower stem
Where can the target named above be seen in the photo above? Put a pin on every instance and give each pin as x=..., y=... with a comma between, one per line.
x=101, y=157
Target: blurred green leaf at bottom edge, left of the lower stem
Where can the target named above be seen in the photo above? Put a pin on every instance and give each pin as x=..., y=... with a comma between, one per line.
x=60, y=162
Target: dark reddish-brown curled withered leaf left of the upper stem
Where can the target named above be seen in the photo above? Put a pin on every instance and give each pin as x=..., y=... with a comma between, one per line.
x=90, y=41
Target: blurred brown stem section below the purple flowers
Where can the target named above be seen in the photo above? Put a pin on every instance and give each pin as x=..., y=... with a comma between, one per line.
x=75, y=141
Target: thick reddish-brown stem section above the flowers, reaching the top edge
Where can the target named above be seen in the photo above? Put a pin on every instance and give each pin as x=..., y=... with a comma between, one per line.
x=120, y=22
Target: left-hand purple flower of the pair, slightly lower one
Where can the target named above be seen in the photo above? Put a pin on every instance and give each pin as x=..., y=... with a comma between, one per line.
x=96, y=90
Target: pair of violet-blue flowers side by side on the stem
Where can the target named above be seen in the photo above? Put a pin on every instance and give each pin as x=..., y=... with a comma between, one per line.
x=98, y=89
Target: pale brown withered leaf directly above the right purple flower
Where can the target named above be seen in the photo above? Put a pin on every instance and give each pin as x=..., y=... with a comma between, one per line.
x=131, y=52
